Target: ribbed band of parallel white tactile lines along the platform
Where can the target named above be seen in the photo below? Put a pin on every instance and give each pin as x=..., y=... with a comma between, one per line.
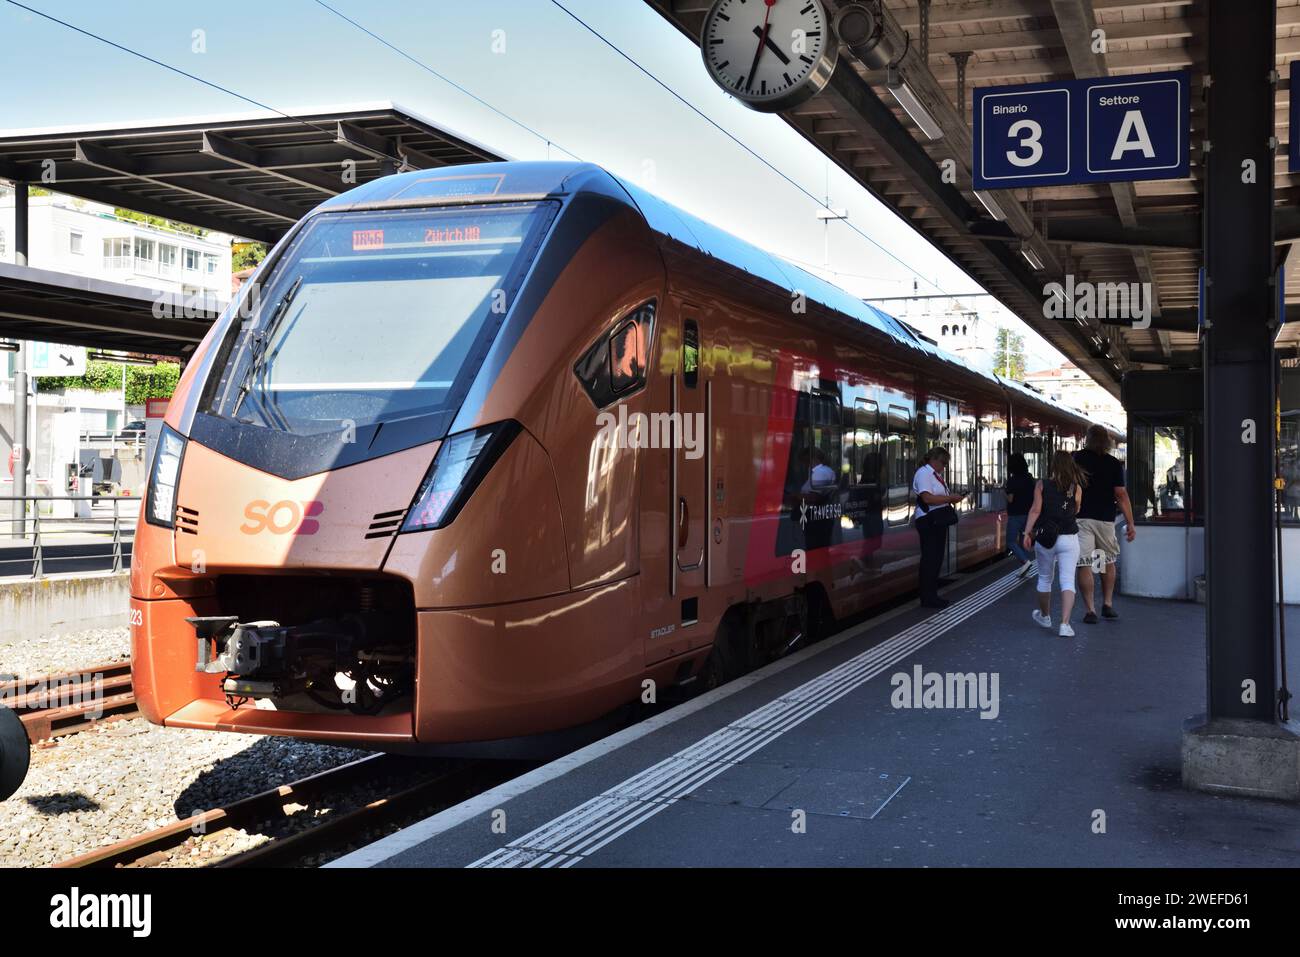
x=579, y=834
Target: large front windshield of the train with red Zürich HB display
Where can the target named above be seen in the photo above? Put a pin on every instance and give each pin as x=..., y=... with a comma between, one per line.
x=375, y=317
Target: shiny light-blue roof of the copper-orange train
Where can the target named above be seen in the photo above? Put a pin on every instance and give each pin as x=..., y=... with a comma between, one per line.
x=486, y=183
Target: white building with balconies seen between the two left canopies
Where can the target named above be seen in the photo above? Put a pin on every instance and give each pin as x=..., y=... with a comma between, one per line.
x=86, y=239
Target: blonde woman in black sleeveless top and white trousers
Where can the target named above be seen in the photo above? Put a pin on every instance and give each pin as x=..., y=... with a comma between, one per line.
x=1054, y=530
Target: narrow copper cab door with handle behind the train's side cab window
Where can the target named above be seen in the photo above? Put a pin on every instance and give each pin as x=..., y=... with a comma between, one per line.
x=692, y=449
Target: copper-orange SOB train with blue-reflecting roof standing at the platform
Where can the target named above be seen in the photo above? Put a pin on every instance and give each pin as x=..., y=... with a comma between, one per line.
x=482, y=451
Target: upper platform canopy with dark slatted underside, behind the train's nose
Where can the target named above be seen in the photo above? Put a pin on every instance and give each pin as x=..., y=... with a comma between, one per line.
x=252, y=176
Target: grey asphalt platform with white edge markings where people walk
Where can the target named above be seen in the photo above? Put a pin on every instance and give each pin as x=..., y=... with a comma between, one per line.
x=1081, y=763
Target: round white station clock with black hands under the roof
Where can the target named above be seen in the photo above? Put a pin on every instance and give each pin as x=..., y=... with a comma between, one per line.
x=770, y=54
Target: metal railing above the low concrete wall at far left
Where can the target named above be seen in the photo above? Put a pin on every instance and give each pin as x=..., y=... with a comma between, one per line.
x=97, y=540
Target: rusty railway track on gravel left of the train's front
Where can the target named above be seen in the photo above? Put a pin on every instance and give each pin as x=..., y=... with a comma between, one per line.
x=67, y=703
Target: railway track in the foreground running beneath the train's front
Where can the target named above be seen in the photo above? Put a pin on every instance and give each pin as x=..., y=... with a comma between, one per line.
x=418, y=789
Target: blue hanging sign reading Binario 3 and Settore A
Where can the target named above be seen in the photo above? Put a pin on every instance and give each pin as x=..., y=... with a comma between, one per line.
x=1106, y=129
